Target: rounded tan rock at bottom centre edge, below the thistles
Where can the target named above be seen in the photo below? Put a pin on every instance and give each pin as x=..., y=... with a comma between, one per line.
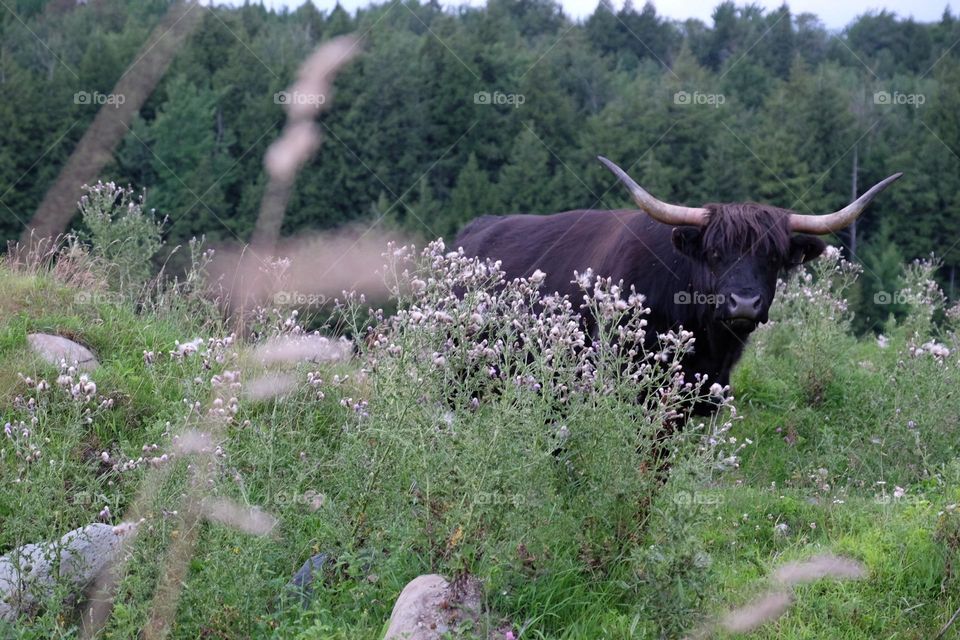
x=429, y=607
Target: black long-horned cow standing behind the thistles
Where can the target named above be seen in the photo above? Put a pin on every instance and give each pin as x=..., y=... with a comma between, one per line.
x=711, y=269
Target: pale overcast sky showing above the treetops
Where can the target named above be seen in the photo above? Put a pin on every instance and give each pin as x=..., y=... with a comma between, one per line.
x=834, y=13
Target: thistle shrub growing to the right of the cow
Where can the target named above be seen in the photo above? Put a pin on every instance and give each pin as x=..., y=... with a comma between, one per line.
x=857, y=411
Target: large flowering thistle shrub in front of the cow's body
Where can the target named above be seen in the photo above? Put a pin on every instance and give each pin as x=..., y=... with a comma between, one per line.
x=490, y=436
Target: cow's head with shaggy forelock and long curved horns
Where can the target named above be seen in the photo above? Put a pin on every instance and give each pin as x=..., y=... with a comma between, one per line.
x=740, y=249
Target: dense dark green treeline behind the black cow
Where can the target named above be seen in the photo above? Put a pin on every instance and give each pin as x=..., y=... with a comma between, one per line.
x=449, y=115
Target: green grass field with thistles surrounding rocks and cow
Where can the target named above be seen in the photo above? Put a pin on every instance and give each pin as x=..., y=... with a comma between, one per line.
x=846, y=445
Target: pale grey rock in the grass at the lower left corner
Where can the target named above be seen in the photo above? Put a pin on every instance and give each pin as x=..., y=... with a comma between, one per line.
x=29, y=573
